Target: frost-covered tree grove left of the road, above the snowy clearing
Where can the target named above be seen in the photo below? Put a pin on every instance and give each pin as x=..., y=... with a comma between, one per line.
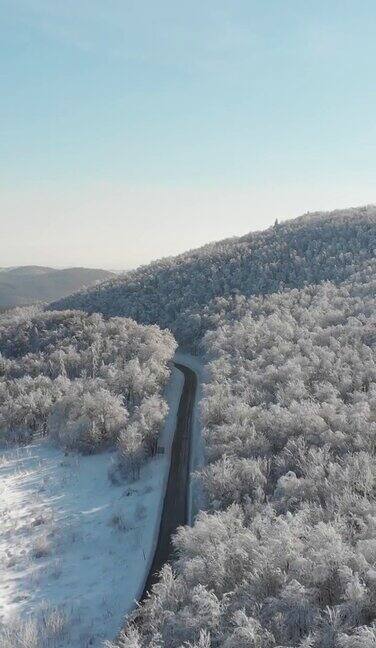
x=86, y=382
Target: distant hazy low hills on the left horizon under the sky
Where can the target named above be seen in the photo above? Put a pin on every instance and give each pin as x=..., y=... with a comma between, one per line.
x=26, y=285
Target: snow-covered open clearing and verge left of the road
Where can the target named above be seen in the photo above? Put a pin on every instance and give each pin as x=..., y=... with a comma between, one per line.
x=71, y=539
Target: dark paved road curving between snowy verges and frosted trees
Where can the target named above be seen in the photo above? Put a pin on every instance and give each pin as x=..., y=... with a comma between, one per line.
x=175, y=507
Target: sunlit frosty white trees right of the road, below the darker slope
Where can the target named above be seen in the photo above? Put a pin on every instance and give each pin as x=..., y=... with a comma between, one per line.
x=285, y=555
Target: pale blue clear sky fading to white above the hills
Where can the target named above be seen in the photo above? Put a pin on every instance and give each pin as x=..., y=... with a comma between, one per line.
x=132, y=130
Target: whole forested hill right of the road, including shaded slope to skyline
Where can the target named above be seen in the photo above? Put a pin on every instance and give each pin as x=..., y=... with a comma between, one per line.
x=285, y=554
